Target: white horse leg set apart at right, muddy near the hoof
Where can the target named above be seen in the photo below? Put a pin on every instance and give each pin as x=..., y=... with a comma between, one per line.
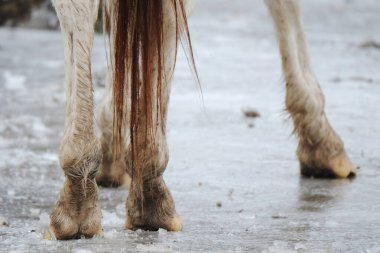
x=320, y=150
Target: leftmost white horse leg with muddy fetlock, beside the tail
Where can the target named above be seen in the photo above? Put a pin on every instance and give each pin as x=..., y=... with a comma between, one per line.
x=77, y=212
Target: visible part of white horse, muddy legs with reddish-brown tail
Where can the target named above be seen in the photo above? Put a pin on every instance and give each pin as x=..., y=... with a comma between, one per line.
x=132, y=149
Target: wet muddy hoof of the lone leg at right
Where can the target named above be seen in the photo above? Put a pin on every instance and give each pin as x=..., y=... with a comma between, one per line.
x=322, y=162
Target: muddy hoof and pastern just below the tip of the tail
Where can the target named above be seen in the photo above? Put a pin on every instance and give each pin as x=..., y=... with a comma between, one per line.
x=156, y=211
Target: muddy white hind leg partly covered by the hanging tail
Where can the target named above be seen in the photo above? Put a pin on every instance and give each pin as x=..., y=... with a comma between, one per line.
x=149, y=204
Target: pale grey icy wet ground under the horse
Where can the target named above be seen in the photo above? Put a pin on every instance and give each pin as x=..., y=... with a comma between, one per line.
x=235, y=181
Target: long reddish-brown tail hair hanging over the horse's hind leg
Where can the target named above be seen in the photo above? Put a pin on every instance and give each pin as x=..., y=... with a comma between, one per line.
x=137, y=34
